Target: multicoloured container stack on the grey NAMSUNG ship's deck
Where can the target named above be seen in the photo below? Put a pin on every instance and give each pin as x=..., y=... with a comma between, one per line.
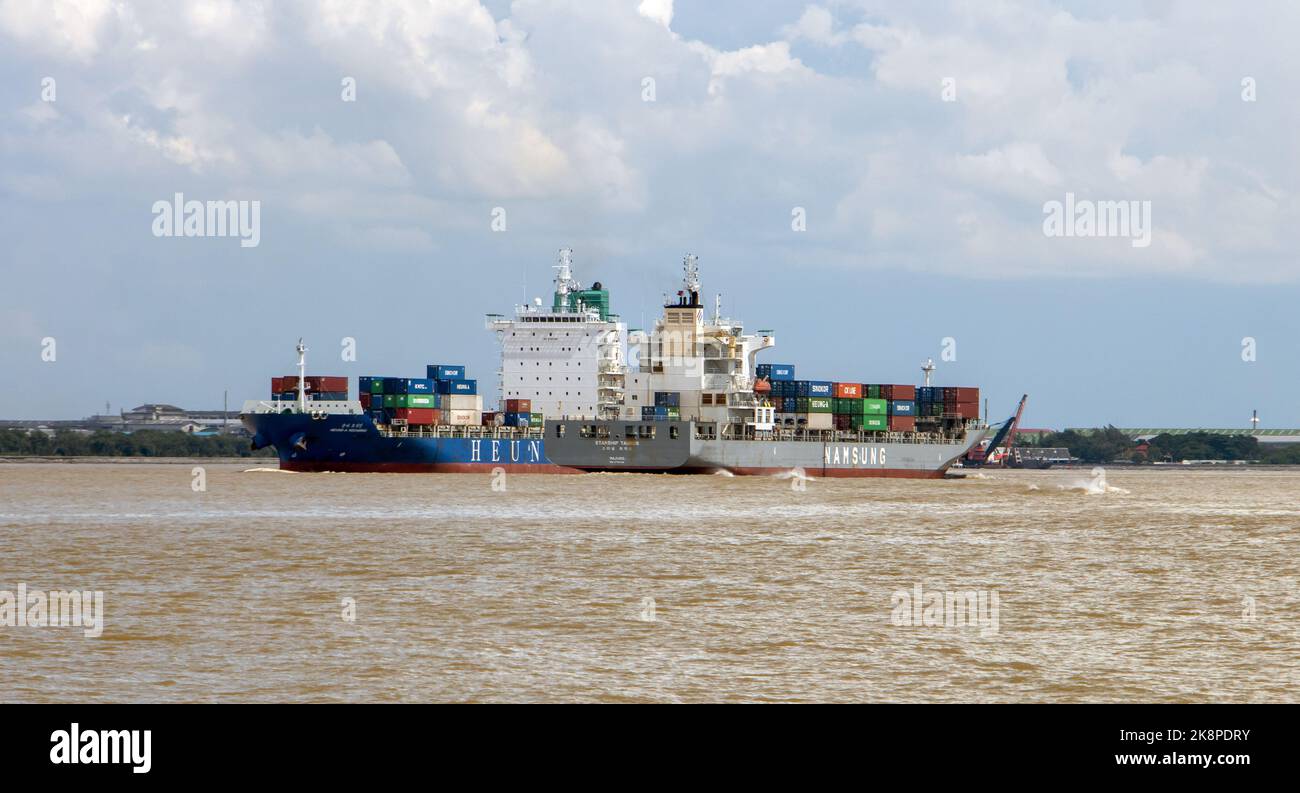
x=857, y=406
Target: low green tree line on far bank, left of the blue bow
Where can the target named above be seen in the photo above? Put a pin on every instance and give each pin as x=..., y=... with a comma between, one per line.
x=144, y=444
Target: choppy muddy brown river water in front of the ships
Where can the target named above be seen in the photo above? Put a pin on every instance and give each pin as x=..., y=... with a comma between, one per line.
x=1154, y=586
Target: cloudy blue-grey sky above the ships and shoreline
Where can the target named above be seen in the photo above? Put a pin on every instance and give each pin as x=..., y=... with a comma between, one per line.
x=921, y=142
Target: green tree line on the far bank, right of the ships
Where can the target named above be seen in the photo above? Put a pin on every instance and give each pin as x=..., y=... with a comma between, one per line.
x=1110, y=445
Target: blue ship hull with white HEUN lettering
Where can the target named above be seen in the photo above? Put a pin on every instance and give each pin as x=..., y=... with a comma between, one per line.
x=348, y=443
